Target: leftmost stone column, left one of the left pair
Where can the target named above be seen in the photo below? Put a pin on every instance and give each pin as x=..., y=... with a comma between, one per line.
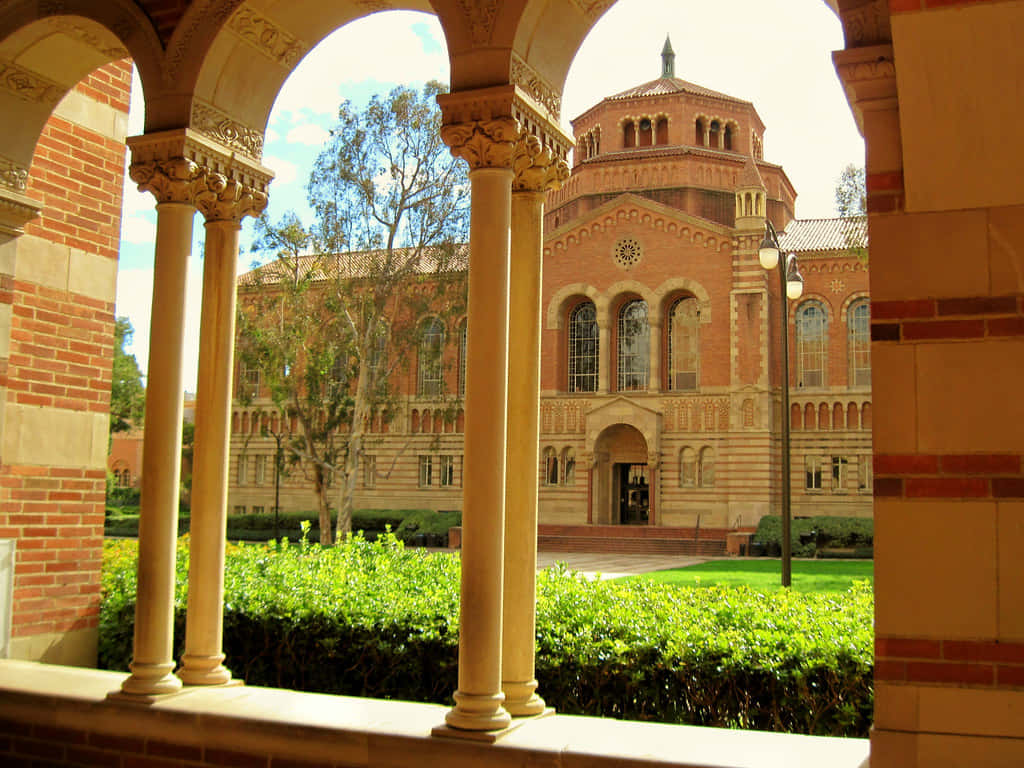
x=172, y=181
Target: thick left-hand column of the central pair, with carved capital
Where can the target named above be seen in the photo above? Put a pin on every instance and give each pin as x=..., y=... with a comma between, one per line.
x=487, y=146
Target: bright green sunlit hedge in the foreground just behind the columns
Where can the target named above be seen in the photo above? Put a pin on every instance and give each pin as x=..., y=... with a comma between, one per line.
x=379, y=620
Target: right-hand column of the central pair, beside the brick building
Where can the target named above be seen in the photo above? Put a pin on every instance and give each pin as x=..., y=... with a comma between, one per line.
x=536, y=173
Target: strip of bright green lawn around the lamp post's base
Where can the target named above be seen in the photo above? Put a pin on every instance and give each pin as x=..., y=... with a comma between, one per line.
x=764, y=574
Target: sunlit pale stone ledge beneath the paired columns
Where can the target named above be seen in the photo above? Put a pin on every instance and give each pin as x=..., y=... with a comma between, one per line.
x=320, y=729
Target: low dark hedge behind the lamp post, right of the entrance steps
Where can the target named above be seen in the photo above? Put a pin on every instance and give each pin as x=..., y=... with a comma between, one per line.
x=815, y=537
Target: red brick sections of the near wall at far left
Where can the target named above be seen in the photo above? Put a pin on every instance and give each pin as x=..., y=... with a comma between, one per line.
x=60, y=359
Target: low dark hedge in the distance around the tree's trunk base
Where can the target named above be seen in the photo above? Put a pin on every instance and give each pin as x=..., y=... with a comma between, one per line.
x=412, y=526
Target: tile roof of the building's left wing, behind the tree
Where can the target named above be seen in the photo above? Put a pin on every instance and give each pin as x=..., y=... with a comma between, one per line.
x=358, y=265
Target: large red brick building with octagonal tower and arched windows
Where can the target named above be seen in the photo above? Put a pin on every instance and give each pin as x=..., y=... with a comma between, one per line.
x=661, y=350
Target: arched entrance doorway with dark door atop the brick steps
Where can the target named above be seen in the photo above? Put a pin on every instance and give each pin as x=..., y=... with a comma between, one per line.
x=623, y=480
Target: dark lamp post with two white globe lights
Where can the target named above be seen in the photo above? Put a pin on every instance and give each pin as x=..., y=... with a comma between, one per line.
x=791, y=284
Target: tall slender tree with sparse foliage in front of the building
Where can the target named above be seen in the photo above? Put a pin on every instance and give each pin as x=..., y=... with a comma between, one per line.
x=336, y=318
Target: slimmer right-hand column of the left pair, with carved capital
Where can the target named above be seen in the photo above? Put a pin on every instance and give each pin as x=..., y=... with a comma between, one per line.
x=224, y=202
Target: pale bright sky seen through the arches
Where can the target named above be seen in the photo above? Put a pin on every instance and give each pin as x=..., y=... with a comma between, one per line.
x=776, y=54
